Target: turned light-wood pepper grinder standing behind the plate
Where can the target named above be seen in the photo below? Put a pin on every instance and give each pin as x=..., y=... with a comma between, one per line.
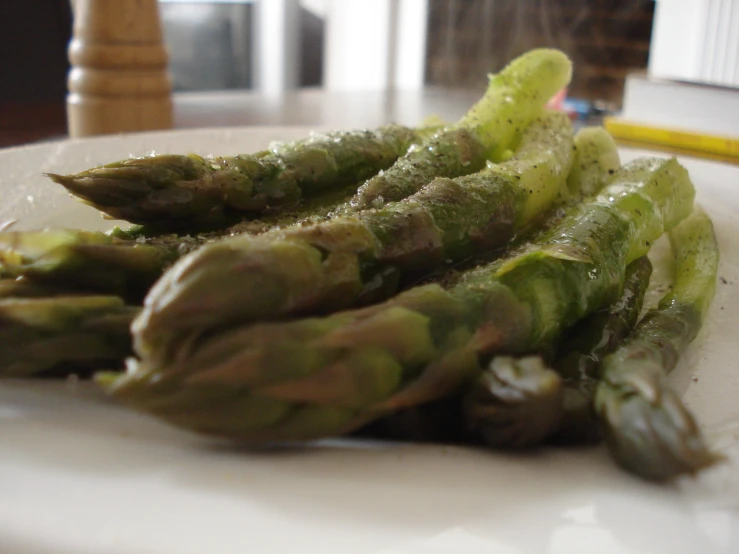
x=118, y=81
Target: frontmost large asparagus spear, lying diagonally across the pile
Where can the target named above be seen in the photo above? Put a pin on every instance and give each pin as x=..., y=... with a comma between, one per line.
x=318, y=377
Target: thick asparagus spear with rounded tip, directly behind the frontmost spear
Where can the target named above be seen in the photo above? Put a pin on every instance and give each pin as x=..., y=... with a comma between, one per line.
x=358, y=259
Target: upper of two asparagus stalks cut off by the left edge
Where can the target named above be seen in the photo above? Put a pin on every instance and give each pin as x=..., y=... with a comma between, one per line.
x=126, y=262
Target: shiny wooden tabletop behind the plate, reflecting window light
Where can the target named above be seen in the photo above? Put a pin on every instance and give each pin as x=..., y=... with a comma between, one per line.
x=23, y=124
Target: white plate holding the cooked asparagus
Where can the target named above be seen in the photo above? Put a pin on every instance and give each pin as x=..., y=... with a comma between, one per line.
x=79, y=475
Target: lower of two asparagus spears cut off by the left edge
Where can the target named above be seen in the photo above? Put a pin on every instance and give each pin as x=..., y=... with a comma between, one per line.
x=39, y=334
